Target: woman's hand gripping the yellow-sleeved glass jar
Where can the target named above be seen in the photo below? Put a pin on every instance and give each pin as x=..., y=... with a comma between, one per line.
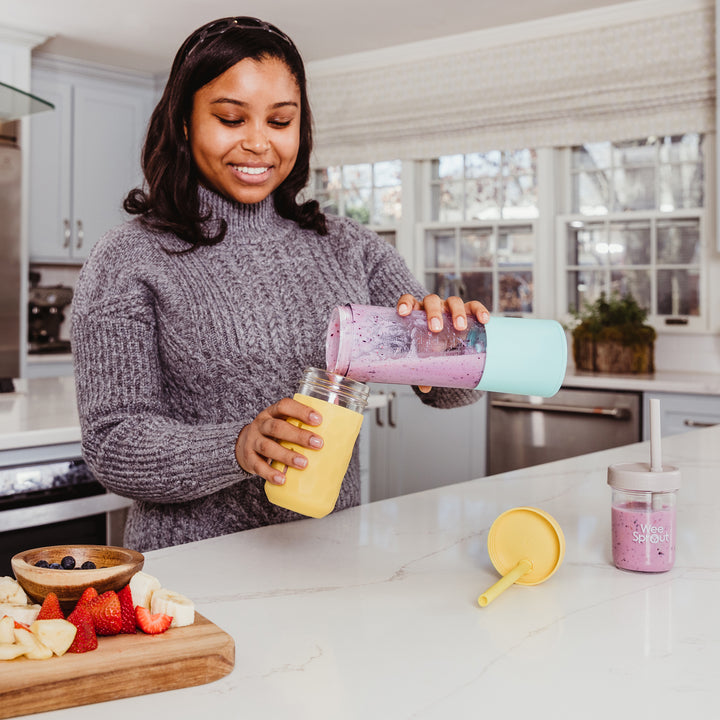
x=258, y=443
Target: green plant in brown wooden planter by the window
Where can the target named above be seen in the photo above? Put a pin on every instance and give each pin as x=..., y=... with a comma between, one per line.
x=611, y=336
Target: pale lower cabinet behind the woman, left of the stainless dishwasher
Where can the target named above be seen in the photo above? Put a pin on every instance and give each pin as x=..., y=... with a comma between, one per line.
x=415, y=447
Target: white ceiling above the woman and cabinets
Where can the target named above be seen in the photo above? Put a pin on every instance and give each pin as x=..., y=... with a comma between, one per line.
x=144, y=34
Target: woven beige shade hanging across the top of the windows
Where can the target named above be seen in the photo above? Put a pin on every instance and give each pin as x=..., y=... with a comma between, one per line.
x=650, y=77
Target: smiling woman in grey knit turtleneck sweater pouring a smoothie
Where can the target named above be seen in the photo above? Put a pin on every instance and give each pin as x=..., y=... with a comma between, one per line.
x=193, y=322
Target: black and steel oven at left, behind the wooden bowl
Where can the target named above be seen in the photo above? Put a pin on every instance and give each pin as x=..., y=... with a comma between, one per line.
x=54, y=501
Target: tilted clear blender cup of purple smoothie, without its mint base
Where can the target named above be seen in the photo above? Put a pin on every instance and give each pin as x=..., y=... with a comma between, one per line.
x=374, y=344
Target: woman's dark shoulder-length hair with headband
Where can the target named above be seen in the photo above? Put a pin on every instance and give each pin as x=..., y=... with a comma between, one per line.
x=169, y=200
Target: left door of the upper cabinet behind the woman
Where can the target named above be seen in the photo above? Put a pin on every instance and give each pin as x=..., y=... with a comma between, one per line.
x=49, y=173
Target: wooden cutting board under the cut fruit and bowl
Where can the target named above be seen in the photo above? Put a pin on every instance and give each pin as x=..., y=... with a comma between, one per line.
x=122, y=666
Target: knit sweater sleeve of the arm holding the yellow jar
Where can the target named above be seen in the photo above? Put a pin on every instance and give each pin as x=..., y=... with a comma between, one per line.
x=130, y=440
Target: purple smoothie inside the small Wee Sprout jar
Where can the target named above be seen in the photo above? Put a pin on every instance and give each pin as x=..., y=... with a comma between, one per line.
x=643, y=537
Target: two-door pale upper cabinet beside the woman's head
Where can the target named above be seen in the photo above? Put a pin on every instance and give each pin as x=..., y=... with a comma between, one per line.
x=84, y=158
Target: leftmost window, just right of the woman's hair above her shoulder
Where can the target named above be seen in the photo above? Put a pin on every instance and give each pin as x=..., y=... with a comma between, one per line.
x=371, y=193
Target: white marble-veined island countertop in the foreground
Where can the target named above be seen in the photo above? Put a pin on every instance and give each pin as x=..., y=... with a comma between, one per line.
x=372, y=612
